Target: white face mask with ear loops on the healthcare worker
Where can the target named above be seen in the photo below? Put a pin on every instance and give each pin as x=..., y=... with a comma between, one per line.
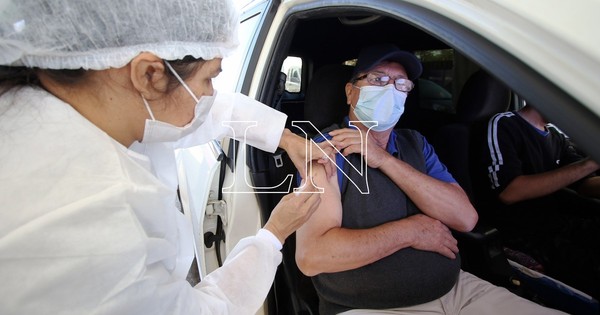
x=158, y=131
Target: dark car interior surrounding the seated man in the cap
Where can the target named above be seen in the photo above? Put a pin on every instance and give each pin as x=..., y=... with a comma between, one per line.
x=454, y=96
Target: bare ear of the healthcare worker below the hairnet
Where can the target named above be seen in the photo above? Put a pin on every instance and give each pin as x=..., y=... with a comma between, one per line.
x=148, y=75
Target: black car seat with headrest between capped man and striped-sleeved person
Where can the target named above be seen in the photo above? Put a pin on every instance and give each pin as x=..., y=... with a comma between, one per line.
x=481, y=97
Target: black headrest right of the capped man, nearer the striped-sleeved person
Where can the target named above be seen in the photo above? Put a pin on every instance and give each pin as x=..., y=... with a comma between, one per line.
x=481, y=97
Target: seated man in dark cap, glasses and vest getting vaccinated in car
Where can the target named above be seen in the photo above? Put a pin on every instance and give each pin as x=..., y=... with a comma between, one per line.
x=383, y=244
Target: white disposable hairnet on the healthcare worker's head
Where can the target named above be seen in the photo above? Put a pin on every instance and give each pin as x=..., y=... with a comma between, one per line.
x=101, y=34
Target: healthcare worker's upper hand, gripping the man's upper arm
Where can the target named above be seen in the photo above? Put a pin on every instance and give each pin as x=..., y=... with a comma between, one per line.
x=302, y=152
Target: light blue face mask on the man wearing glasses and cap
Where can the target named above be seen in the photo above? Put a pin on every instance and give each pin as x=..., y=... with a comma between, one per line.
x=379, y=107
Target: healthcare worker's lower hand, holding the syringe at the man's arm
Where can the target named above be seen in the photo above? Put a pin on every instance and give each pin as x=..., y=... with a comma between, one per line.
x=292, y=211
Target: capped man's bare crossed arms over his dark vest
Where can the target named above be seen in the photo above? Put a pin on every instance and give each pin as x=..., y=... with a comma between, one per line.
x=323, y=245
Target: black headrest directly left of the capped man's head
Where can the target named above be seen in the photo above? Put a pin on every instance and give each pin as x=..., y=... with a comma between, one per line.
x=325, y=102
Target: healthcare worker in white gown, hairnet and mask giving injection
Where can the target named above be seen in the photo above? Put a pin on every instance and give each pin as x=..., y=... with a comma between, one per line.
x=95, y=96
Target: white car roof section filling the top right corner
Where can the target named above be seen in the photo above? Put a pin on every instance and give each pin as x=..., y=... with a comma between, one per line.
x=557, y=38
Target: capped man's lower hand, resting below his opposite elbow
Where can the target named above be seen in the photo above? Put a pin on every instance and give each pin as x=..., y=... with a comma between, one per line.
x=432, y=235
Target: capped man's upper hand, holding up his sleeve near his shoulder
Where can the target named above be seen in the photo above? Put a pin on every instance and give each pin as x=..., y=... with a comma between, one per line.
x=350, y=141
